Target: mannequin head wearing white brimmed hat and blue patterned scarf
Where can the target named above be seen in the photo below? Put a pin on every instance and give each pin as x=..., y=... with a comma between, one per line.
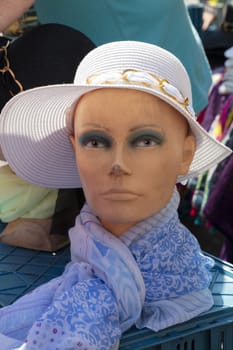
x=126, y=132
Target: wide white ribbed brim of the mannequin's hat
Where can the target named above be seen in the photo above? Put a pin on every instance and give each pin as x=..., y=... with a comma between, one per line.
x=34, y=136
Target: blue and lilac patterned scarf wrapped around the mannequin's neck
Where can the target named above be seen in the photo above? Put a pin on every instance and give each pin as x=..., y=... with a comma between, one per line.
x=153, y=276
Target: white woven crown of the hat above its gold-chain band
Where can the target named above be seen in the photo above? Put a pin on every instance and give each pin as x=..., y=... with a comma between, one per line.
x=143, y=57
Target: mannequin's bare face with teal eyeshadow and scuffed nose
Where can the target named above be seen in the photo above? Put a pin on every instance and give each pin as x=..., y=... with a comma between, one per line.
x=130, y=147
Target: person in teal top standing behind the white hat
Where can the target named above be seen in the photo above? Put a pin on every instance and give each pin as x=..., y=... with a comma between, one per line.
x=165, y=23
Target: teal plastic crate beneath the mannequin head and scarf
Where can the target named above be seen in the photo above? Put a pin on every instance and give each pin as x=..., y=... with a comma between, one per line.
x=21, y=270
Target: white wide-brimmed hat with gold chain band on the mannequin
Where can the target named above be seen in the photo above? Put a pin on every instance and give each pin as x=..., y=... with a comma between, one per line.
x=33, y=131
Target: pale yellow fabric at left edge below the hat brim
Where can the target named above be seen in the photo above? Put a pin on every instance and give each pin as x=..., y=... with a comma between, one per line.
x=19, y=199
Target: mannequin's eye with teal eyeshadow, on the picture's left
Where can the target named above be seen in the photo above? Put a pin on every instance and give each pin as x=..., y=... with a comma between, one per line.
x=95, y=140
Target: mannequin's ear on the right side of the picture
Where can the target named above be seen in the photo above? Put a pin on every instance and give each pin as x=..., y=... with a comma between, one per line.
x=188, y=154
